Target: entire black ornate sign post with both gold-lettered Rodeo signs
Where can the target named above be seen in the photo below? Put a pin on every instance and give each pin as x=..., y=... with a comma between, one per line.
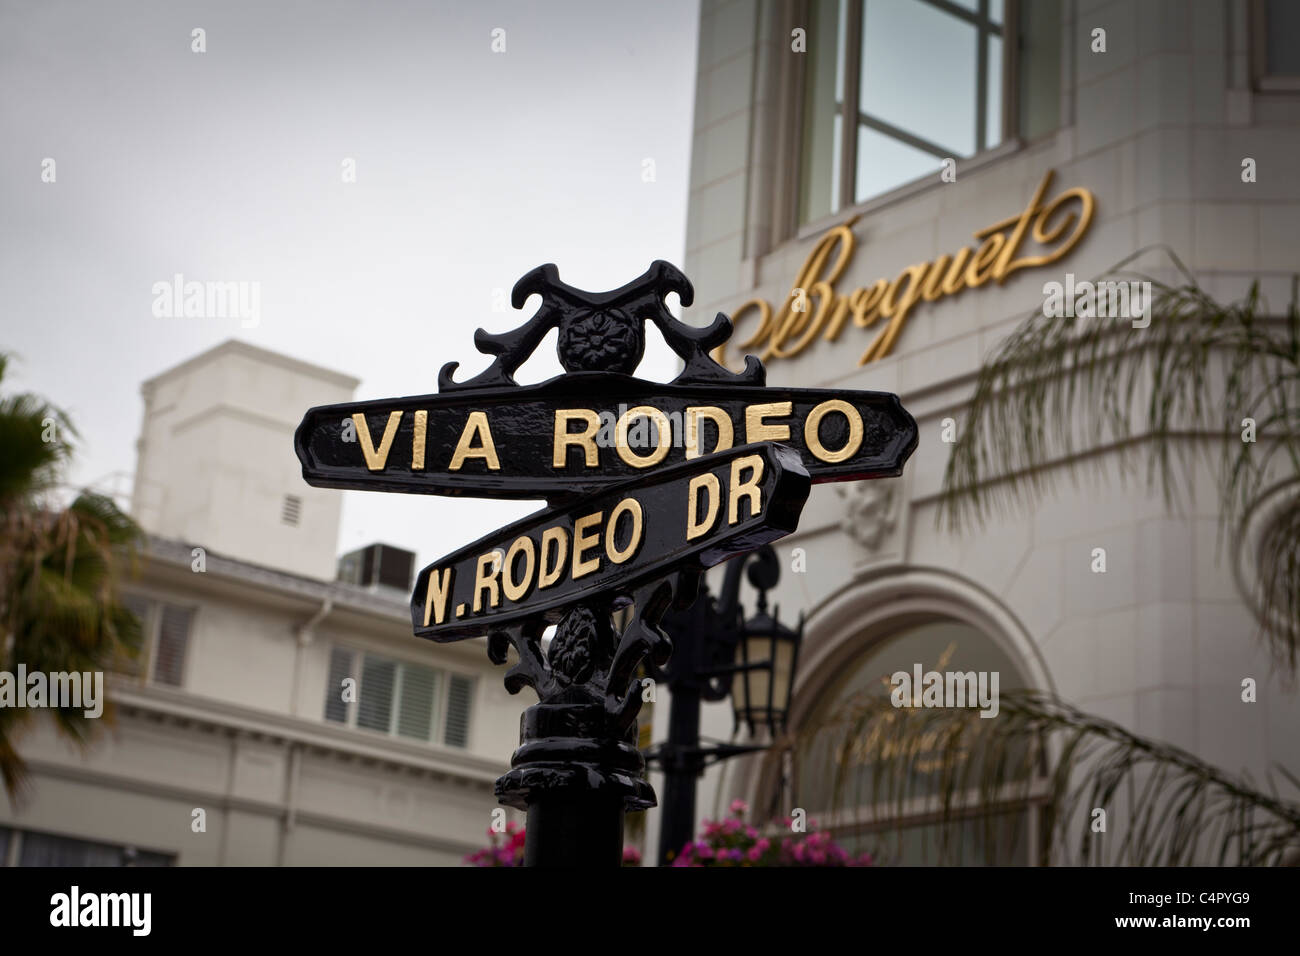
x=723, y=466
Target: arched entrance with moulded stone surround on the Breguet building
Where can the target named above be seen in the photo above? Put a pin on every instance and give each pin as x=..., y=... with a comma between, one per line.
x=900, y=621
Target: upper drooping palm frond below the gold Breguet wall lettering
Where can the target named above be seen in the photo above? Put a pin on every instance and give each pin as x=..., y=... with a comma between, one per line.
x=1060, y=391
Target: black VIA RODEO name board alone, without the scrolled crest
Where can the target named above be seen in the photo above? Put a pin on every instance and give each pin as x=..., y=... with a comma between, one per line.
x=587, y=431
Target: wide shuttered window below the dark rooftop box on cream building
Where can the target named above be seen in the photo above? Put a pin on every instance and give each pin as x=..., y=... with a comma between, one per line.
x=400, y=699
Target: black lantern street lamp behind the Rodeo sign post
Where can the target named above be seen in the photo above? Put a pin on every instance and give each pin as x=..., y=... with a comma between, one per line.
x=717, y=651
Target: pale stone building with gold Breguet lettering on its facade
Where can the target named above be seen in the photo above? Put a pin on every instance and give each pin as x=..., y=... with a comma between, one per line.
x=856, y=150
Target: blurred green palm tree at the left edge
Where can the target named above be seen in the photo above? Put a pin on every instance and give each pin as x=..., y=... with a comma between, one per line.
x=60, y=609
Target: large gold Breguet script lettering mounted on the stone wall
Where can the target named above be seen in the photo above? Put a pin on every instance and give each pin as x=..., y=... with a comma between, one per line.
x=814, y=309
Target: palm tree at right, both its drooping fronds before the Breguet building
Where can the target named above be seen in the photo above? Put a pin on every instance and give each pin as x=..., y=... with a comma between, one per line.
x=1203, y=378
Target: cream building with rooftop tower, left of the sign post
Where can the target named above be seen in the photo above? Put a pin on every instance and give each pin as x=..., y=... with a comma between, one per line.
x=236, y=707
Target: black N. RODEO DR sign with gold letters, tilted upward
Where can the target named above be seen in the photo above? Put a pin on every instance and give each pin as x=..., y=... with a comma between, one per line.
x=694, y=514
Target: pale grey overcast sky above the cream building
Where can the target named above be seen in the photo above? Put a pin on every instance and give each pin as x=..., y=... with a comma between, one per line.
x=473, y=167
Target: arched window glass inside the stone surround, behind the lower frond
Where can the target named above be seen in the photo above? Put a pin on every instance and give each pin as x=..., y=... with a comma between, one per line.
x=835, y=777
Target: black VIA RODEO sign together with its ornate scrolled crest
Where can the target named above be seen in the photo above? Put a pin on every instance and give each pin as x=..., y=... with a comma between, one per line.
x=595, y=426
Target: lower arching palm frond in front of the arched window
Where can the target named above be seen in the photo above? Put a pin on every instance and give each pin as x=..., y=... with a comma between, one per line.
x=950, y=767
